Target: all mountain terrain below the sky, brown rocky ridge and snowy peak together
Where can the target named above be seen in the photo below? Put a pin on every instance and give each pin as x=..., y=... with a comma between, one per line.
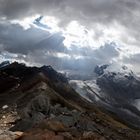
x=45, y=104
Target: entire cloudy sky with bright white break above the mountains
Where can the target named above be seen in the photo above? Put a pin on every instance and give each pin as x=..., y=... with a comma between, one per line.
x=70, y=35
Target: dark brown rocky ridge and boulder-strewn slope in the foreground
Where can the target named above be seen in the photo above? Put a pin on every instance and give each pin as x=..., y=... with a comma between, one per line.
x=39, y=104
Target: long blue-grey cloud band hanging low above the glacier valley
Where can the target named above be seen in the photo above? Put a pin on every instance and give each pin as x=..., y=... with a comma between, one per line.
x=85, y=63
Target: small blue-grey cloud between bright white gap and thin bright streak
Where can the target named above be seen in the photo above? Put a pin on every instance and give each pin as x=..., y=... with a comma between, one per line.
x=104, y=53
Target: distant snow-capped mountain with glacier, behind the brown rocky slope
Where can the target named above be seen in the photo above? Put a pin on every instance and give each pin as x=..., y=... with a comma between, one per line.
x=116, y=91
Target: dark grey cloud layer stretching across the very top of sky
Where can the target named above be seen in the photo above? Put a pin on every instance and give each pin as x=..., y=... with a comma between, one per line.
x=83, y=10
